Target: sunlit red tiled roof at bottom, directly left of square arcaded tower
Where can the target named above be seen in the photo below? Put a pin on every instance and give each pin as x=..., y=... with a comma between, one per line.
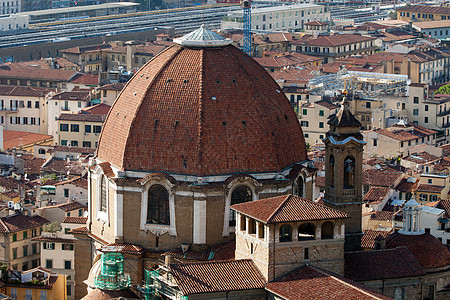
x=217, y=276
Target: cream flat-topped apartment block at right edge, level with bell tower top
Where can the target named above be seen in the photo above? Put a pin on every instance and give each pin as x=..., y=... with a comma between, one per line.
x=430, y=111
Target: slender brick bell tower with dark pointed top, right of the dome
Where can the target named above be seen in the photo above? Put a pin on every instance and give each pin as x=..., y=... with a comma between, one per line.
x=343, y=174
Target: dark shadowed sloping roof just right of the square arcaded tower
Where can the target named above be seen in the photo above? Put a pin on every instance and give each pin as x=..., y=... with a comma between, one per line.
x=381, y=264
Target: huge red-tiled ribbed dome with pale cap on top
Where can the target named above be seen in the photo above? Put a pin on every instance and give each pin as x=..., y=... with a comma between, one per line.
x=202, y=108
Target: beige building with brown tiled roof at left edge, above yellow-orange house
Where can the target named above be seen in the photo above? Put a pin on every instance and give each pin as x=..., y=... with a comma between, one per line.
x=19, y=251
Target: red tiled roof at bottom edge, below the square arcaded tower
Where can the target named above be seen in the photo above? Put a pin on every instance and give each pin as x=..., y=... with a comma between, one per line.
x=310, y=282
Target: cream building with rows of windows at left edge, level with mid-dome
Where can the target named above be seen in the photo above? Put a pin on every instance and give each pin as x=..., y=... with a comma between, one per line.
x=22, y=108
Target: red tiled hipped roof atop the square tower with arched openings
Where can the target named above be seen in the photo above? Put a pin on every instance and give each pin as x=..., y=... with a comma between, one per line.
x=287, y=208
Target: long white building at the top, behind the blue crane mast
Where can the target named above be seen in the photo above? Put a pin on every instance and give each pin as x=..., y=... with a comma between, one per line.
x=279, y=18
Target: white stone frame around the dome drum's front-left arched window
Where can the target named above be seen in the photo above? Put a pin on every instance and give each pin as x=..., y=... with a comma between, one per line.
x=158, y=229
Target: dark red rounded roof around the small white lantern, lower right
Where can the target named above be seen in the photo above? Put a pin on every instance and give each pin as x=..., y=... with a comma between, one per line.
x=427, y=249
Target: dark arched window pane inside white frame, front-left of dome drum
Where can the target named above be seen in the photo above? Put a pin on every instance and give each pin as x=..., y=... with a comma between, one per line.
x=158, y=205
